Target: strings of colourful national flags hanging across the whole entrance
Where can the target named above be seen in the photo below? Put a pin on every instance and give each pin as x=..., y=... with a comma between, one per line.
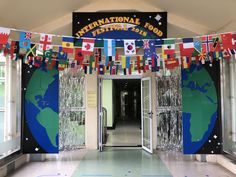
x=156, y=53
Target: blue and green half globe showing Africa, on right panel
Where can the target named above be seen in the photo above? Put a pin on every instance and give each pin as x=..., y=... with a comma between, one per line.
x=200, y=107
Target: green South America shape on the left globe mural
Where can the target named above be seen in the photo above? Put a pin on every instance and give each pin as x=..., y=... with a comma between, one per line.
x=49, y=120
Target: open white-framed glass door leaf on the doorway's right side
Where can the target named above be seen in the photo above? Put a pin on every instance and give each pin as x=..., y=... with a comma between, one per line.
x=146, y=111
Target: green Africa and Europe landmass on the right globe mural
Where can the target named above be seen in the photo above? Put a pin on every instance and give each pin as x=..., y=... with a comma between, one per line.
x=200, y=100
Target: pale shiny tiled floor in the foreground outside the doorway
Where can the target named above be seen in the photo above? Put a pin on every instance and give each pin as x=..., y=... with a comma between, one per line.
x=118, y=162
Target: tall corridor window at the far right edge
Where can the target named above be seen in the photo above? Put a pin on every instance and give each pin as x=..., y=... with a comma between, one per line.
x=228, y=86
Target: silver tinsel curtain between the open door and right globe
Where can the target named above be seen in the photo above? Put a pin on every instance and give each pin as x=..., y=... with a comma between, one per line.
x=169, y=112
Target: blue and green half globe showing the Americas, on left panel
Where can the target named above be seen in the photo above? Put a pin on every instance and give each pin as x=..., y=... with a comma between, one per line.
x=41, y=108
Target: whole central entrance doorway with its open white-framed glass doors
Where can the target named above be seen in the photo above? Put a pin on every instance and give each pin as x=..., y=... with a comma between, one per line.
x=125, y=112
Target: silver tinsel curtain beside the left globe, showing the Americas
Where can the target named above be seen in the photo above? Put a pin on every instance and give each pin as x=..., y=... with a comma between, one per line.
x=72, y=110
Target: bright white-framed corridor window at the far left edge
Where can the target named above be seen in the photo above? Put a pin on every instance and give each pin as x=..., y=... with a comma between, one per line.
x=10, y=106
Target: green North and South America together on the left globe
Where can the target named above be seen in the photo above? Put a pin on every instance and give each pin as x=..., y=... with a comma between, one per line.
x=37, y=87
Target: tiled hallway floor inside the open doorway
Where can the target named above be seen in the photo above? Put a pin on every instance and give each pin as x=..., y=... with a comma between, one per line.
x=125, y=134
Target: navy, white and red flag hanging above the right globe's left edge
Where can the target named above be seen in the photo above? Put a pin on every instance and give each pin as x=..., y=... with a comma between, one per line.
x=187, y=47
